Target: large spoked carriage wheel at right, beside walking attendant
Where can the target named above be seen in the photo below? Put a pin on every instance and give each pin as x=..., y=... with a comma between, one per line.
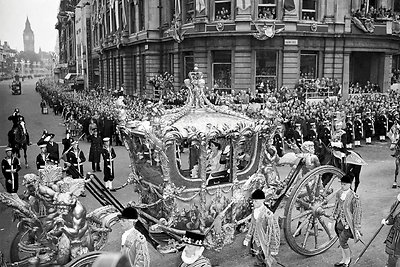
x=307, y=226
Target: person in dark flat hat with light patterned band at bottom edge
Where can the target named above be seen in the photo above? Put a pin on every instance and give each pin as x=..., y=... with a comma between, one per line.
x=192, y=254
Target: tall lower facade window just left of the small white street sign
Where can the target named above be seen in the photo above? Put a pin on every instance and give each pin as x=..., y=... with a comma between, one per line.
x=266, y=65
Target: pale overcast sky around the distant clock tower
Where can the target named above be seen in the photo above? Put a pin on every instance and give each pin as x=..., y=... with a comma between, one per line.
x=42, y=15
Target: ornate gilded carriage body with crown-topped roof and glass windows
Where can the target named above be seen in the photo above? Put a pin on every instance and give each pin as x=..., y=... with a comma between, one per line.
x=179, y=185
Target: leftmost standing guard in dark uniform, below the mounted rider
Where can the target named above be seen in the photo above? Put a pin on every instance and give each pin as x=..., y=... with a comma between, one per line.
x=10, y=166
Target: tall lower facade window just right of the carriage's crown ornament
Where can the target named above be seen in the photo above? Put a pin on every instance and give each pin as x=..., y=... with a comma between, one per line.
x=222, y=71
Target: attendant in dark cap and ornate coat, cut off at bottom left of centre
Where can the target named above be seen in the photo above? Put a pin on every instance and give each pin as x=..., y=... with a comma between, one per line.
x=133, y=242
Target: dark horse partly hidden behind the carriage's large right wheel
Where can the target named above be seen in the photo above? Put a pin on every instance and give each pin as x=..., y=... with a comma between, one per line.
x=350, y=165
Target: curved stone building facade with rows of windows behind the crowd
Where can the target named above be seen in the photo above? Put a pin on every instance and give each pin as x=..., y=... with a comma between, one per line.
x=244, y=44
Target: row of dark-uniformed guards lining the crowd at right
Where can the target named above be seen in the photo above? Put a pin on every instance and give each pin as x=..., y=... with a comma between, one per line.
x=354, y=130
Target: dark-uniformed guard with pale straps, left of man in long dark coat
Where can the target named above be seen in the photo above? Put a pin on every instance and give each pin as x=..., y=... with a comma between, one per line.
x=75, y=157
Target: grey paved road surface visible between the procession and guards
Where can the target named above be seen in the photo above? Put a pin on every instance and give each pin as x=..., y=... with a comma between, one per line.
x=375, y=192
